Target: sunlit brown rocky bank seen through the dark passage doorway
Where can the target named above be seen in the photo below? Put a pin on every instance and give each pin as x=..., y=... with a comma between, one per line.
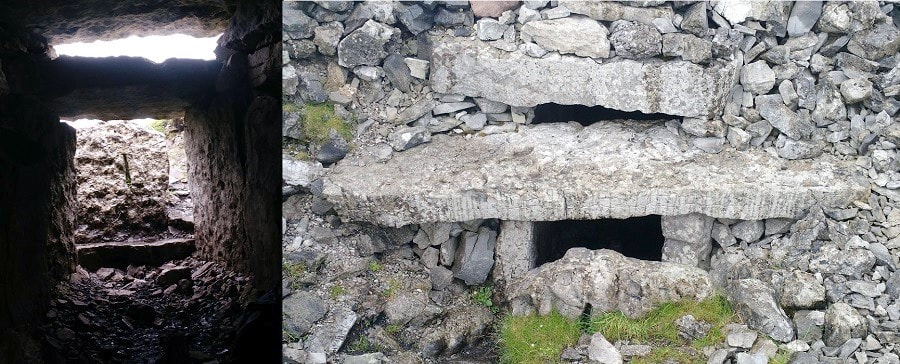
x=131, y=181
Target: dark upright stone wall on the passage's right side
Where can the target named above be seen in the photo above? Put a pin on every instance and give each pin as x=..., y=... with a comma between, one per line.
x=232, y=149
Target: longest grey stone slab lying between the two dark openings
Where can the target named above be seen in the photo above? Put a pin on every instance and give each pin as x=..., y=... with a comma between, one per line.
x=562, y=171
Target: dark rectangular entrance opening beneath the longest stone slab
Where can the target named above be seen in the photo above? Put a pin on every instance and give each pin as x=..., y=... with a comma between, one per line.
x=636, y=237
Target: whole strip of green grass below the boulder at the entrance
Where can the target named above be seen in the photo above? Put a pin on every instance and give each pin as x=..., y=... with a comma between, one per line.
x=541, y=339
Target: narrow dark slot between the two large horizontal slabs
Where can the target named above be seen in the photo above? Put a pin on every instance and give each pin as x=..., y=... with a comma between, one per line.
x=586, y=115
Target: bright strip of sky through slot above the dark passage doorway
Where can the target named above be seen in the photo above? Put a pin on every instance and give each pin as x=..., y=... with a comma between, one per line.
x=156, y=48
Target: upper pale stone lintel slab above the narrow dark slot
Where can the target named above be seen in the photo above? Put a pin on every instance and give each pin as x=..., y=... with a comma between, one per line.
x=474, y=68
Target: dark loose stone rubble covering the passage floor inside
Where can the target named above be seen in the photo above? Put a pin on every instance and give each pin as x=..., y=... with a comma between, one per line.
x=183, y=311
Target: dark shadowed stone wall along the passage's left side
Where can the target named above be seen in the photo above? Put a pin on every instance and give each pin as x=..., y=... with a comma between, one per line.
x=37, y=196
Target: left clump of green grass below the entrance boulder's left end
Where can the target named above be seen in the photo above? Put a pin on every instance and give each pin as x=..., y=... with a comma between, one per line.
x=536, y=339
